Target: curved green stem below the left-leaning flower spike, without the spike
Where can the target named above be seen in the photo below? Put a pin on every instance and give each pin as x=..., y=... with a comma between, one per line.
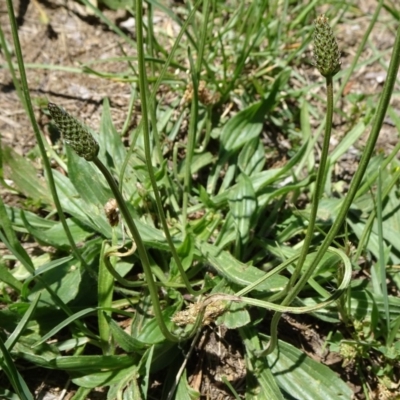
x=140, y=248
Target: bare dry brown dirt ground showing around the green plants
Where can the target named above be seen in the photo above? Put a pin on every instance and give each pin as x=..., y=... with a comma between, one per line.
x=60, y=34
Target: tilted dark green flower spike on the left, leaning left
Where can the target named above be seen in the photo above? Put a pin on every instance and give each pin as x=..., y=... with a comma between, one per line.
x=75, y=133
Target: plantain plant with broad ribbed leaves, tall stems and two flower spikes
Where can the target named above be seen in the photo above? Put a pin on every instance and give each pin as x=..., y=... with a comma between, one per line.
x=207, y=241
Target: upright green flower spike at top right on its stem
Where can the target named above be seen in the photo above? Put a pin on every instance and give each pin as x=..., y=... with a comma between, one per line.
x=326, y=50
